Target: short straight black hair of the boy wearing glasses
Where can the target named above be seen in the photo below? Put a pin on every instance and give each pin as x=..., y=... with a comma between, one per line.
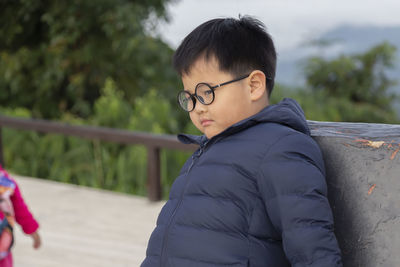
x=239, y=45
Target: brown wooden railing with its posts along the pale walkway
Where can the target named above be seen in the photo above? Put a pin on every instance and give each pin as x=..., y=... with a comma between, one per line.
x=154, y=143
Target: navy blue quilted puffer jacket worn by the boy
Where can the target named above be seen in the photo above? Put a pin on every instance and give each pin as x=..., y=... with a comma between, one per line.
x=253, y=195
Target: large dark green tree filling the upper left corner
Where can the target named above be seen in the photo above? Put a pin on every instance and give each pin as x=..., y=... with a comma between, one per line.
x=56, y=55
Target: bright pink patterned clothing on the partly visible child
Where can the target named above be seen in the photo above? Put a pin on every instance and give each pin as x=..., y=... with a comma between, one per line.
x=17, y=209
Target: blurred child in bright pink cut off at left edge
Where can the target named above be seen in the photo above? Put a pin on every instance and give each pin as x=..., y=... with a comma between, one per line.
x=13, y=208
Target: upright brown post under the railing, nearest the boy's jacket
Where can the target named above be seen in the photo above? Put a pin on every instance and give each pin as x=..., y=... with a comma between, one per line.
x=153, y=173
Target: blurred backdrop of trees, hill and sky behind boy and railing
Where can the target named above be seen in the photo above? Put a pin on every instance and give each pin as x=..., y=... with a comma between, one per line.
x=108, y=63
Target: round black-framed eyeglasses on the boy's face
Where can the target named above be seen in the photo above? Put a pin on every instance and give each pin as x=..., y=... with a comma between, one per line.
x=203, y=92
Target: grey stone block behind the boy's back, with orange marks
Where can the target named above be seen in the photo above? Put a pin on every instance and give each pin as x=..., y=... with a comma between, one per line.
x=363, y=175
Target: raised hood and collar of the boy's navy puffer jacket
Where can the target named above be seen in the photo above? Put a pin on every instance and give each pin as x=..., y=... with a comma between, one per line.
x=287, y=112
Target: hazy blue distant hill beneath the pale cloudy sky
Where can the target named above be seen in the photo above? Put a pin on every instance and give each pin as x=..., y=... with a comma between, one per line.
x=346, y=39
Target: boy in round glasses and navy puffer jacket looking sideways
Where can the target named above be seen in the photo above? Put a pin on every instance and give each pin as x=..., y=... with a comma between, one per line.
x=254, y=193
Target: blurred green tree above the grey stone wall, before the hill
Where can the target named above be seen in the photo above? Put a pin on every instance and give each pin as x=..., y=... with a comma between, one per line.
x=351, y=87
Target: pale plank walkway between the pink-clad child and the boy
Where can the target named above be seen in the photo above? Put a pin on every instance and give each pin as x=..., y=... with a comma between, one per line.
x=84, y=227
